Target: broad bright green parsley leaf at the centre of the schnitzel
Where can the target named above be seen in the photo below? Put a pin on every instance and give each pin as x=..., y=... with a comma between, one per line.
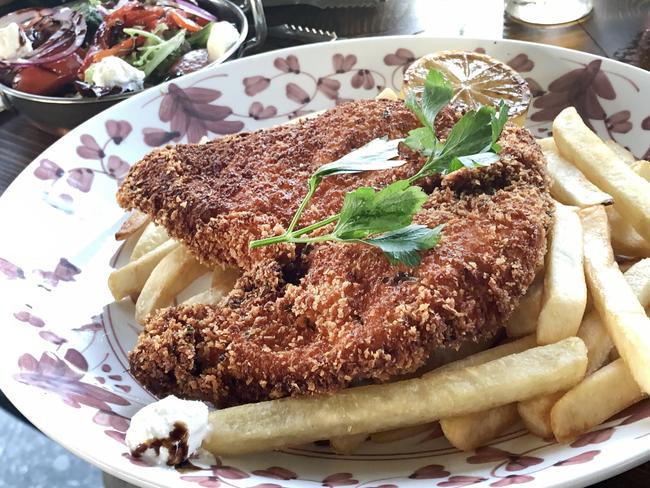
x=366, y=211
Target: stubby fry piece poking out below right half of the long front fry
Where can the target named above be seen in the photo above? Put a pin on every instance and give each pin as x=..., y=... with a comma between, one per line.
x=469, y=431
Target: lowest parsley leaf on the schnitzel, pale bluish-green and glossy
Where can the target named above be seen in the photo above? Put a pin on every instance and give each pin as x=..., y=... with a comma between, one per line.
x=402, y=245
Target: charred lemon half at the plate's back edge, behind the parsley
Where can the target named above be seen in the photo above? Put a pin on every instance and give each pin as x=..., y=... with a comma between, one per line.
x=478, y=79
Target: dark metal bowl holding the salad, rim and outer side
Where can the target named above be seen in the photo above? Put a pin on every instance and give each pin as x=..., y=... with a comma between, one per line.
x=57, y=115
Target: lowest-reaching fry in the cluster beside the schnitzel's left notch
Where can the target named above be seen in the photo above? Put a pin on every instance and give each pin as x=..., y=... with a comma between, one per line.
x=174, y=272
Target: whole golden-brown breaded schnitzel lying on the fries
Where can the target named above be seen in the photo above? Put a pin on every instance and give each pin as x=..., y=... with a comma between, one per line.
x=316, y=318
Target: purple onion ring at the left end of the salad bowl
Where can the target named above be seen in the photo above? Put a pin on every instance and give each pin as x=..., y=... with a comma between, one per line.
x=66, y=40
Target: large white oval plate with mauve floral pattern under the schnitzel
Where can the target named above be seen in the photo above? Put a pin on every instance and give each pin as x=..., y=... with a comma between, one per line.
x=63, y=356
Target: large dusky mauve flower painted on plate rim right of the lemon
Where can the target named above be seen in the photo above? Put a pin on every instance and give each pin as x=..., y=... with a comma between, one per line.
x=579, y=88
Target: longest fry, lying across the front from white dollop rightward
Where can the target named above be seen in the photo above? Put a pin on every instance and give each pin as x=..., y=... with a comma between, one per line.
x=291, y=421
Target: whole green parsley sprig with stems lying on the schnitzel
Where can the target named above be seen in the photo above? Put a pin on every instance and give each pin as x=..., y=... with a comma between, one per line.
x=384, y=218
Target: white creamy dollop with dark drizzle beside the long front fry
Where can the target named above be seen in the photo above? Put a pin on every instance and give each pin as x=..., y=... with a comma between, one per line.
x=168, y=431
